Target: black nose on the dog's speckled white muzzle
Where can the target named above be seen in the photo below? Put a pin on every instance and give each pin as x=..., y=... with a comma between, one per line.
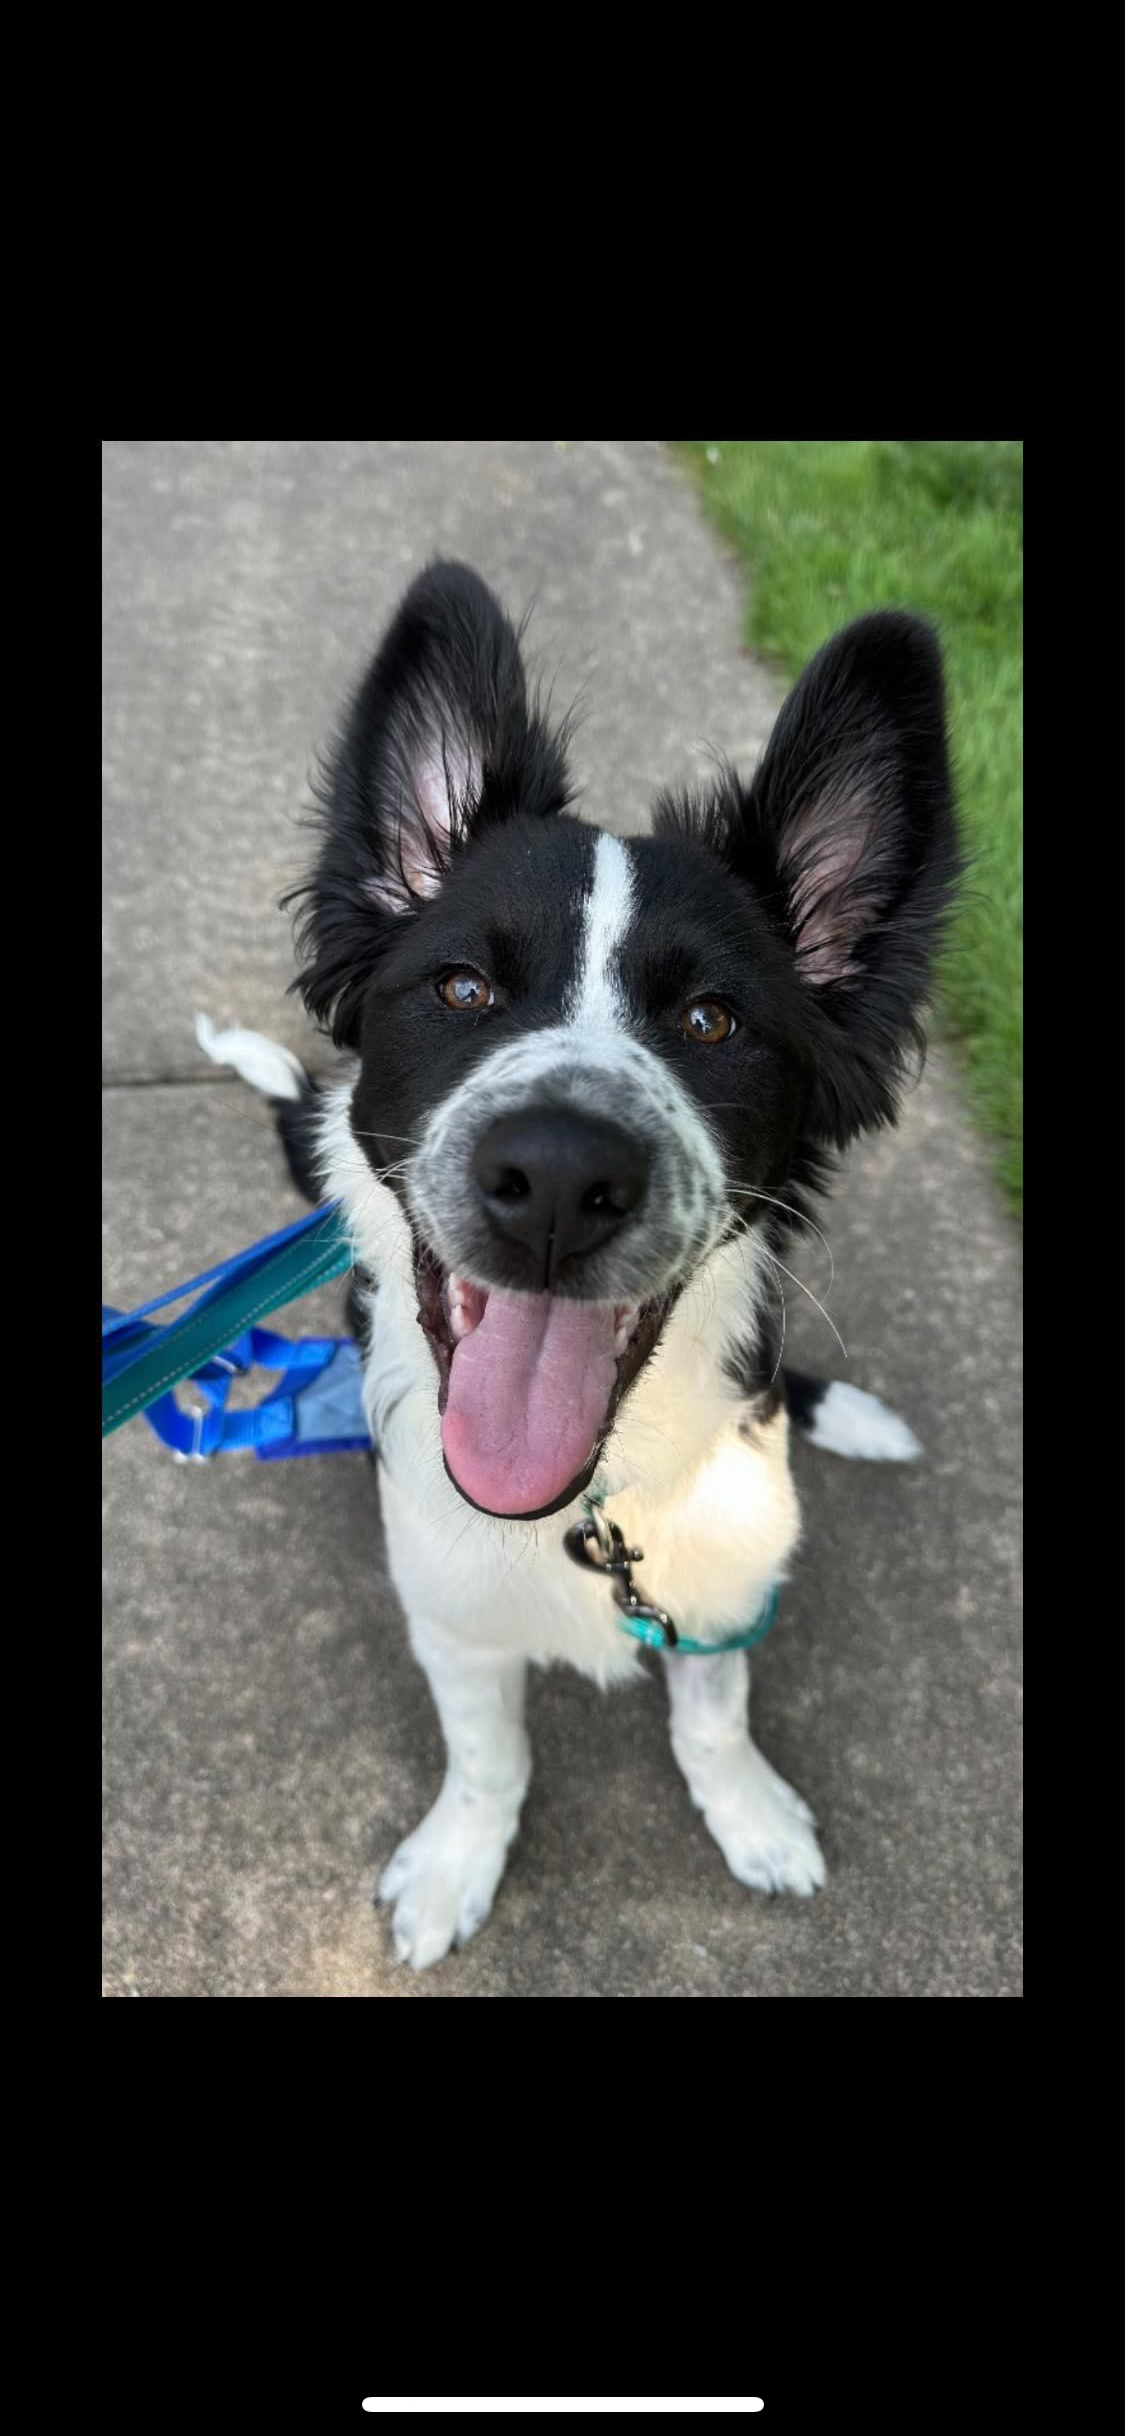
x=559, y=1183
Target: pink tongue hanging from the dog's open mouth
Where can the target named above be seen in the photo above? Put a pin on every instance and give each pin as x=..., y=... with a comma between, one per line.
x=527, y=1399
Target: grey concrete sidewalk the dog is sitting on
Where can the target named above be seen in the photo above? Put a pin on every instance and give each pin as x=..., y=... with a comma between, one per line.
x=269, y=1736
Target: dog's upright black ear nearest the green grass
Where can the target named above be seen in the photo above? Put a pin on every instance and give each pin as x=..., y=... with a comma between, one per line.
x=849, y=834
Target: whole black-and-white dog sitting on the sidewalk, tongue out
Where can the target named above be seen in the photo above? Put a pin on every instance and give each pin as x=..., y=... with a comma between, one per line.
x=591, y=1093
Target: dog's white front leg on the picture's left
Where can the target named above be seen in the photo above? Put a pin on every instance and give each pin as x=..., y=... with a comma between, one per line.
x=447, y=1875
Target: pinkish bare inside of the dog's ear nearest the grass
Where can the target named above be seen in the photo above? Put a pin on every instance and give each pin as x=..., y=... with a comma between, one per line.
x=834, y=866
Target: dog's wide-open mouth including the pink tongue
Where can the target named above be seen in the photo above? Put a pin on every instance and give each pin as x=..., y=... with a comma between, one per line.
x=527, y=1385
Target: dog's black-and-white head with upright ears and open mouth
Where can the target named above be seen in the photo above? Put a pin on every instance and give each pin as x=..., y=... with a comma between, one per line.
x=586, y=1061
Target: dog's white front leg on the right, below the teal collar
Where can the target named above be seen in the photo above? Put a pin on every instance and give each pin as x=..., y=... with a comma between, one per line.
x=761, y=1826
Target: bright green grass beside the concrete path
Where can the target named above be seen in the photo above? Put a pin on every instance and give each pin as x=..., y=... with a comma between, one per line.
x=832, y=530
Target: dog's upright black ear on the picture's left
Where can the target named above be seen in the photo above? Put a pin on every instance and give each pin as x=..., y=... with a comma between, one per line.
x=440, y=744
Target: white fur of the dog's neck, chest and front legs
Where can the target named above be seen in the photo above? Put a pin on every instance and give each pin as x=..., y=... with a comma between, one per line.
x=693, y=1480
